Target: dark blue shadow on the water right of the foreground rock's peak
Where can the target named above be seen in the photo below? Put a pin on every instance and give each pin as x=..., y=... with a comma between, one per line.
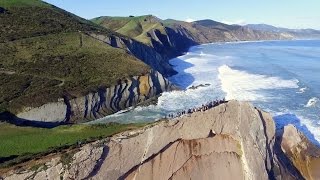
x=286, y=119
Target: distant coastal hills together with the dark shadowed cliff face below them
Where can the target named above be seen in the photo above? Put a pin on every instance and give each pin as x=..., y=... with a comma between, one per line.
x=155, y=41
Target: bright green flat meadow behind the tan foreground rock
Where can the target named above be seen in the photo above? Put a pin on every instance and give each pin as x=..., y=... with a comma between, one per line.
x=28, y=141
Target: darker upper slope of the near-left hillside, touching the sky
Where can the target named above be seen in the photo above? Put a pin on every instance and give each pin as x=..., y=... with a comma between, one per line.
x=30, y=18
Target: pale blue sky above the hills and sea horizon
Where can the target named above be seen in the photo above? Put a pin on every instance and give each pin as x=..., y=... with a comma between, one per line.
x=284, y=13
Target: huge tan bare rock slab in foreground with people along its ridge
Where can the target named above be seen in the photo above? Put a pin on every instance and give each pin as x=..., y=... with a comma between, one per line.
x=231, y=141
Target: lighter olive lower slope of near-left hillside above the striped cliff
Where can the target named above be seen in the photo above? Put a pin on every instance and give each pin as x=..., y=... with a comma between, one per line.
x=49, y=67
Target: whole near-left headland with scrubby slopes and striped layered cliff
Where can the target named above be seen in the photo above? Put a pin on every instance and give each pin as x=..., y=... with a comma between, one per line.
x=55, y=65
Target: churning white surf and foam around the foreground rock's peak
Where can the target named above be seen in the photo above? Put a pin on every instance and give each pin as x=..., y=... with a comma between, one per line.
x=202, y=66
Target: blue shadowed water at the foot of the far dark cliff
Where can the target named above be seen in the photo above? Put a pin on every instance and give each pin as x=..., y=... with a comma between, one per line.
x=182, y=79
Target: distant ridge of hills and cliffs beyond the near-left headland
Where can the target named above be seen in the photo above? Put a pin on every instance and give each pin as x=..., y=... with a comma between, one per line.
x=170, y=38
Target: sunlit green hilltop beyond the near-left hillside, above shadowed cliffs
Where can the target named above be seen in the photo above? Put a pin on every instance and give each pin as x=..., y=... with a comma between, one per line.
x=135, y=27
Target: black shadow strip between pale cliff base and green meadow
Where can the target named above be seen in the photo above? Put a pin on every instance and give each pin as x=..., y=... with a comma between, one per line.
x=13, y=119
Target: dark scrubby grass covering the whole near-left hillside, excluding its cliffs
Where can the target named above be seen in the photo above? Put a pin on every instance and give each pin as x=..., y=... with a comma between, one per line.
x=45, y=54
